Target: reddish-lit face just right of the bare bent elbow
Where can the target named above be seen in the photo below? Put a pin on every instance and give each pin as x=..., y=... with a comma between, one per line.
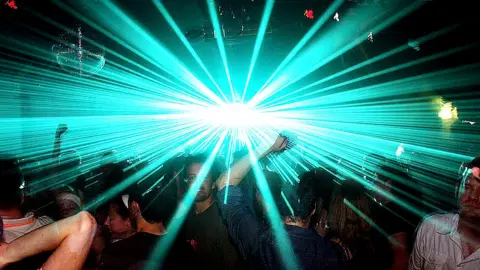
x=118, y=220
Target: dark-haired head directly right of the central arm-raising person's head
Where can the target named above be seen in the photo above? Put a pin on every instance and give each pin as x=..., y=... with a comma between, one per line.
x=344, y=216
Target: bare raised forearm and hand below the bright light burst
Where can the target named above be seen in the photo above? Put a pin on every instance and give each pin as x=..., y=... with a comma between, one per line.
x=244, y=165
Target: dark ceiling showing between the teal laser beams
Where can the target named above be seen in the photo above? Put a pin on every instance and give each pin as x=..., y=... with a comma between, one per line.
x=33, y=19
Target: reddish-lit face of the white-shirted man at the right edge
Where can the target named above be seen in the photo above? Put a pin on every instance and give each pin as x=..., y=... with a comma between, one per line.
x=469, y=198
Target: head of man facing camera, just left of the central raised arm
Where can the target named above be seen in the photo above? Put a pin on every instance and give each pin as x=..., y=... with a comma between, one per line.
x=193, y=166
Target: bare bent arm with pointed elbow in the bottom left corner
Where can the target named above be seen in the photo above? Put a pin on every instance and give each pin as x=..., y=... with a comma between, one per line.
x=71, y=239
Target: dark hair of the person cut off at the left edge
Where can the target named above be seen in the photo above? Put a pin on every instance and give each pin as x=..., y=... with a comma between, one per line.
x=11, y=180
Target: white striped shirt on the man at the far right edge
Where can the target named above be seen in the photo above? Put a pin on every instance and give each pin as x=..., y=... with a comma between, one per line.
x=438, y=246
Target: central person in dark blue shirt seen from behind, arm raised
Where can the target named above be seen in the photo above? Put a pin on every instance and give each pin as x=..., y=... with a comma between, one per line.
x=261, y=246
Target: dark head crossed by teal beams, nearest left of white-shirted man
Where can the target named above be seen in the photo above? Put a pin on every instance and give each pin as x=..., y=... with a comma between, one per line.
x=395, y=181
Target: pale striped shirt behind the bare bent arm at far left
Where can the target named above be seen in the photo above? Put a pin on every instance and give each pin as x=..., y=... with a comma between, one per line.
x=14, y=228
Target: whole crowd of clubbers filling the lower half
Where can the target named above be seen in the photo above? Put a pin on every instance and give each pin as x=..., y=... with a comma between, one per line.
x=193, y=212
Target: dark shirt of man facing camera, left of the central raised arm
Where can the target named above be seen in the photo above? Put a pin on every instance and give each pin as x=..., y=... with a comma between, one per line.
x=208, y=235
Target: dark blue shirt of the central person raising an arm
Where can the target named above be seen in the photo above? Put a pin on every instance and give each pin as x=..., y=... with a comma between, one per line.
x=260, y=246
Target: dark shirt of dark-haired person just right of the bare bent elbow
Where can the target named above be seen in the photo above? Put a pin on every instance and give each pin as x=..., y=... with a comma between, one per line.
x=134, y=253
